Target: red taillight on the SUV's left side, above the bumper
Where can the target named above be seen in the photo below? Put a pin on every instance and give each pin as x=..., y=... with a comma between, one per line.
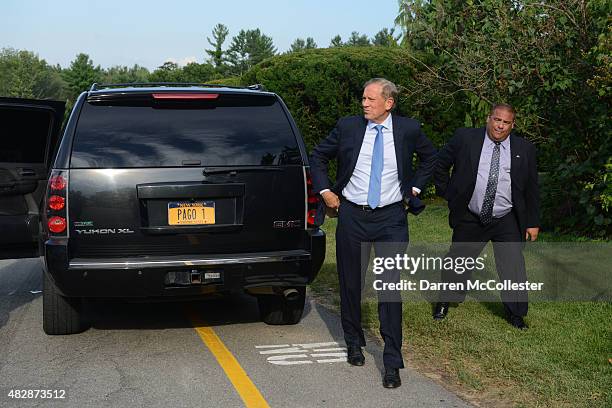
x=56, y=209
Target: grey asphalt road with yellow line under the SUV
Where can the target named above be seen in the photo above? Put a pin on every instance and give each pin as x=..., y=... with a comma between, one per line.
x=212, y=353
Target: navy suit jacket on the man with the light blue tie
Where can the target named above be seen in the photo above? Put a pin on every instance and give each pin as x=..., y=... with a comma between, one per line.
x=344, y=143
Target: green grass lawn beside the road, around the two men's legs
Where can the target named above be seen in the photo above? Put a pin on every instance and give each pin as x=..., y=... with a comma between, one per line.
x=561, y=360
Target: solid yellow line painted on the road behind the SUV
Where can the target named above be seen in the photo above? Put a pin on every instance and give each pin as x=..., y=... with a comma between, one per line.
x=242, y=383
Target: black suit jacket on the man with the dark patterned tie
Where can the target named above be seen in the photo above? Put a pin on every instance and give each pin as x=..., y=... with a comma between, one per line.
x=462, y=153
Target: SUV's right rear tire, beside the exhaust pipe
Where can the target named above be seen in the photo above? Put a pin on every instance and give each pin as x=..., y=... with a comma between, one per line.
x=277, y=310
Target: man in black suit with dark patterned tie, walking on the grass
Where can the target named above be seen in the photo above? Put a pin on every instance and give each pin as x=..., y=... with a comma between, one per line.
x=492, y=196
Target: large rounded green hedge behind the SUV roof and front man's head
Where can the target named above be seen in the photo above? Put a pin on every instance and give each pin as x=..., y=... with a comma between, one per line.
x=320, y=86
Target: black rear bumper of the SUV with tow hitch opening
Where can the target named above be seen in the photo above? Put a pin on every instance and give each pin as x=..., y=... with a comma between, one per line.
x=148, y=276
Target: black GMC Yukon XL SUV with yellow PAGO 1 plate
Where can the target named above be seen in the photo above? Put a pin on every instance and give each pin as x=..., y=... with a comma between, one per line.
x=168, y=190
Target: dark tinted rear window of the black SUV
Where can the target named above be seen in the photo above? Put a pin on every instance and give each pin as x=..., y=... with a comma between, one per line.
x=228, y=131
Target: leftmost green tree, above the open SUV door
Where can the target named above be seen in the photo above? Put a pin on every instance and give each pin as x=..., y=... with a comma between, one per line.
x=24, y=75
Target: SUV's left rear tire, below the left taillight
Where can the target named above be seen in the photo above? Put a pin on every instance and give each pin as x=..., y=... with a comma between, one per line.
x=61, y=315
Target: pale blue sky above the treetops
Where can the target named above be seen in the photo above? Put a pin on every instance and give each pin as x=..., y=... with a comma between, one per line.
x=148, y=33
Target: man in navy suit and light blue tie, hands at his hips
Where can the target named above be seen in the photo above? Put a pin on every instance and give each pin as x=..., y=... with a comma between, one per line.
x=375, y=176
